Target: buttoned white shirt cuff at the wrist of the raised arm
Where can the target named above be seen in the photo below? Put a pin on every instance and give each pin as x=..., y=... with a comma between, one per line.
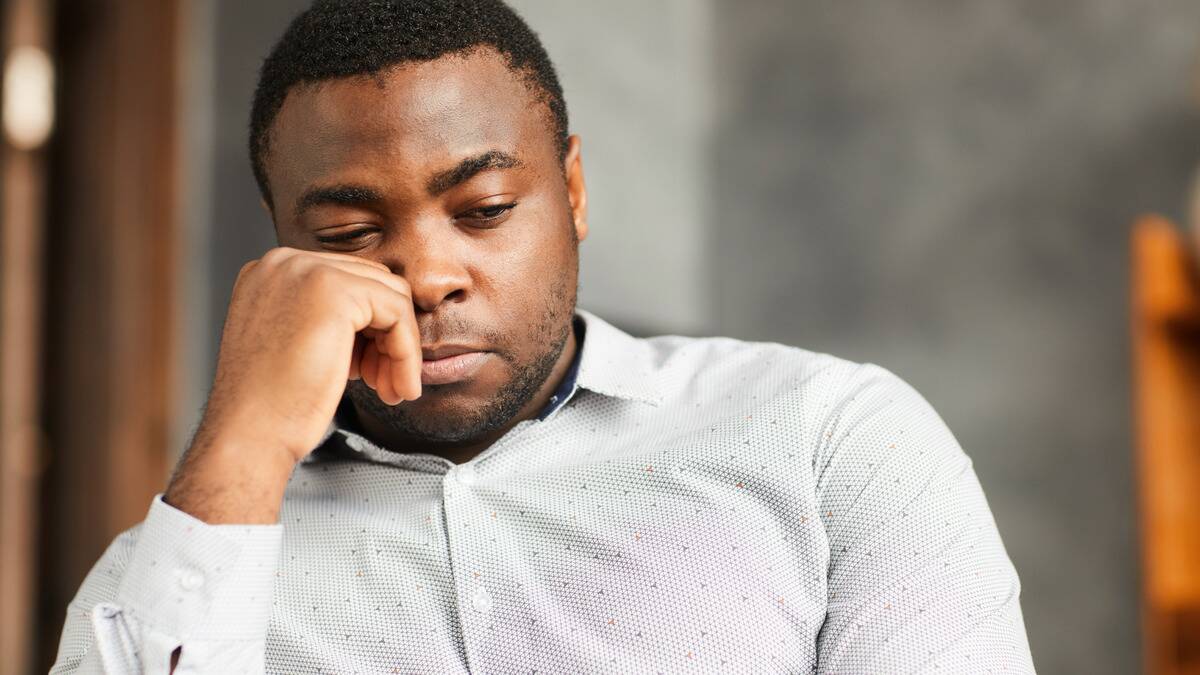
x=195, y=581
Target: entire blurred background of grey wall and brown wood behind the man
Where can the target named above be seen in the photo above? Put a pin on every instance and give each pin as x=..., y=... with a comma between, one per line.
x=946, y=189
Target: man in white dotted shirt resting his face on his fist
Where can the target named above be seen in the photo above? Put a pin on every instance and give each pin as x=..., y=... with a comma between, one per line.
x=502, y=483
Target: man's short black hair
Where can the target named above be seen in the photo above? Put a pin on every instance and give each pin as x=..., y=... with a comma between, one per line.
x=335, y=39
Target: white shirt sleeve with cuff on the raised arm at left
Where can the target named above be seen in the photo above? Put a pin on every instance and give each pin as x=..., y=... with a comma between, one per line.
x=175, y=582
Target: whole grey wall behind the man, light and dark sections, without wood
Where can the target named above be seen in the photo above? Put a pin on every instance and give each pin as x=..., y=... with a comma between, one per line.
x=944, y=189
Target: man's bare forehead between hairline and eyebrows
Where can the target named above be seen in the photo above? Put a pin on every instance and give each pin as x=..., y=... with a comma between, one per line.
x=412, y=121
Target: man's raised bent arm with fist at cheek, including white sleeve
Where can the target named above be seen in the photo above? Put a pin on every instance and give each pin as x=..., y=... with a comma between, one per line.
x=190, y=590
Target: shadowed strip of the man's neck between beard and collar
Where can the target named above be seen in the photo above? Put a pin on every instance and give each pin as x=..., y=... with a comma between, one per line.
x=380, y=434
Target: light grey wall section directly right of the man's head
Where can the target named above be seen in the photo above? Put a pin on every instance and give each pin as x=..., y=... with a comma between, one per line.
x=638, y=81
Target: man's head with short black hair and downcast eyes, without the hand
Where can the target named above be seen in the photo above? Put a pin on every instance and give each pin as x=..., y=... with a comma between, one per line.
x=431, y=136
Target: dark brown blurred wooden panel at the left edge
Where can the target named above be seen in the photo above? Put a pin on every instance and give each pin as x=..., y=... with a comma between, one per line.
x=112, y=271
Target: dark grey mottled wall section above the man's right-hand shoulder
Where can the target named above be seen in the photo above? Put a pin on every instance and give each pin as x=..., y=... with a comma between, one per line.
x=946, y=189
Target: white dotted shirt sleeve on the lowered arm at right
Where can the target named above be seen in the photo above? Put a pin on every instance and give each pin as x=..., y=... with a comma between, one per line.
x=919, y=577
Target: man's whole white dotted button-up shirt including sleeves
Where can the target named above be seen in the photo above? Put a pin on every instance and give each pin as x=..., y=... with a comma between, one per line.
x=694, y=506
